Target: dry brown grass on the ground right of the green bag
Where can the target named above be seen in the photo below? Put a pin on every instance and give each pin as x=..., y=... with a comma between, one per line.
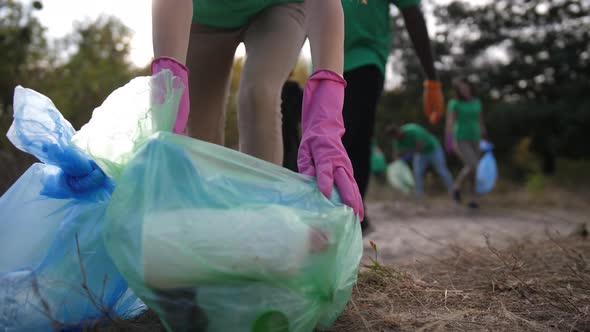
x=526, y=287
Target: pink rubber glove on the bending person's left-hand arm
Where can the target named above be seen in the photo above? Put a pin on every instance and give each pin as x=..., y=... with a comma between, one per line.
x=180, y=71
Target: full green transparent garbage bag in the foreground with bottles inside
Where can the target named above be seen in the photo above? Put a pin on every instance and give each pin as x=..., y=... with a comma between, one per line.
x=216, y=240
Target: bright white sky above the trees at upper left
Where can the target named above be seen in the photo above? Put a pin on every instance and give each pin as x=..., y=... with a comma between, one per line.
x=59, y=17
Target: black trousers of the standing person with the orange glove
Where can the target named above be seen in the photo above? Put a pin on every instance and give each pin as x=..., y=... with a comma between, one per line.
x=361, y=96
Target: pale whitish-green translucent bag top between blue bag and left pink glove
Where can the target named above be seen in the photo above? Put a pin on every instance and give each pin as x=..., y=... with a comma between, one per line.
x=127, y=117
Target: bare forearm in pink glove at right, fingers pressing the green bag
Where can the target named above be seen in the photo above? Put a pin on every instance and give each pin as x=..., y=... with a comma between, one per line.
x=321, y=152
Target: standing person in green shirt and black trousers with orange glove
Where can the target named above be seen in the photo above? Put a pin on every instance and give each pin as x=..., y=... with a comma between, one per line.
x=367, y=45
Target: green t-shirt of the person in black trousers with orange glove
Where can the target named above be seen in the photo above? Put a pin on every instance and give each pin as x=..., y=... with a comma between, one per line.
x=367, y=32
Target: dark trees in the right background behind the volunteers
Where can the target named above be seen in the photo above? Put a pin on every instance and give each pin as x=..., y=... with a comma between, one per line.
x=528, y=60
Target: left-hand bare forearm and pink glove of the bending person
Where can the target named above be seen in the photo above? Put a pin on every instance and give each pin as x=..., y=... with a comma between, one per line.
x=171, y=22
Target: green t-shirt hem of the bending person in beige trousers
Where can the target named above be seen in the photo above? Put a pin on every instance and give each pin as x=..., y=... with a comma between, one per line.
x=229, y=14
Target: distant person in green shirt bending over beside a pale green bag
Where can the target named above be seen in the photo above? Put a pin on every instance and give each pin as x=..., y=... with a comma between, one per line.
x=426, y=150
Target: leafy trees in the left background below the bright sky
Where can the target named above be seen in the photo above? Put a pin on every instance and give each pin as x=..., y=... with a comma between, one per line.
x=77, y=82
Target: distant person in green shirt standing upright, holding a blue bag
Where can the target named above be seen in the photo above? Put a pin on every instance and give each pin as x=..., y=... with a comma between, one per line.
x=464, y=130
